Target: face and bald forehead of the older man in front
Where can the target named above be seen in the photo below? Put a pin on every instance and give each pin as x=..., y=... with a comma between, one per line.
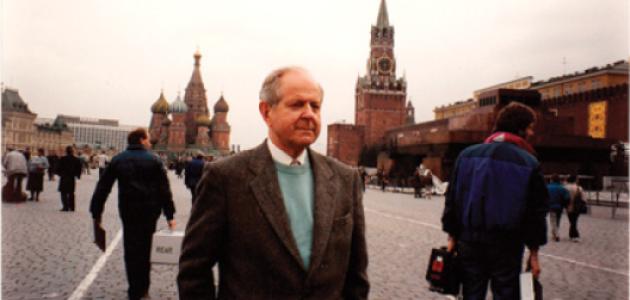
x=294, y=122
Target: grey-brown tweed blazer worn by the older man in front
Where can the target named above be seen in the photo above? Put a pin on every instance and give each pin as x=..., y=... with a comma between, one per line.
x=239, y=221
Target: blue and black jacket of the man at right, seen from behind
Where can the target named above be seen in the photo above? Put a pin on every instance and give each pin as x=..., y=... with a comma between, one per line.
x=497, y=193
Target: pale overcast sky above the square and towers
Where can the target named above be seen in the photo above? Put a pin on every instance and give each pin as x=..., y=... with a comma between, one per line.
x=109, y=59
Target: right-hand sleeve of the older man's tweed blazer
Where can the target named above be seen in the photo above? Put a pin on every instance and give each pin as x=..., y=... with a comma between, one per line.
x=357, y=285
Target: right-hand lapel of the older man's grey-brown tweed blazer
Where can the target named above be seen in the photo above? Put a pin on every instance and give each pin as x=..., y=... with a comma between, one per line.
x=324, y=207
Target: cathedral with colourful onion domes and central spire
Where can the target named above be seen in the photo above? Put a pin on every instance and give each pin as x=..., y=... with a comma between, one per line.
x=185, y=127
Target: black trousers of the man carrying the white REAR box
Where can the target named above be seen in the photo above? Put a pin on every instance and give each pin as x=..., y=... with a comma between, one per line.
x=137, y=237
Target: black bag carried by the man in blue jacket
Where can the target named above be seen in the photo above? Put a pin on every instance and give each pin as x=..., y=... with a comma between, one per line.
x=442, y=272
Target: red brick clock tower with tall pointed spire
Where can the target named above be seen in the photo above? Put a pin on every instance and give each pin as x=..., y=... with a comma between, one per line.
x=380, y=96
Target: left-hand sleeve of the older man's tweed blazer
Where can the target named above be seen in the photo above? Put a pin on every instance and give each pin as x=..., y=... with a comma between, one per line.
x=204, y=239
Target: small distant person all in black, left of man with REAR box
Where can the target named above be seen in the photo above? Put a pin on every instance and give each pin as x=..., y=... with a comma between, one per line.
x=68, y=169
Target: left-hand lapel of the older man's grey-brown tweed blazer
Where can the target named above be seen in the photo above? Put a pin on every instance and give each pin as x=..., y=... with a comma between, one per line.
x=266, y=190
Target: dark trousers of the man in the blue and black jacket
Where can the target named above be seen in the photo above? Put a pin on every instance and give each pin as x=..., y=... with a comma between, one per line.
x=497, y=263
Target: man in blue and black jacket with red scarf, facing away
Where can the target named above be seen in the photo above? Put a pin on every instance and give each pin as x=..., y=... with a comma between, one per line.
x=495, y=205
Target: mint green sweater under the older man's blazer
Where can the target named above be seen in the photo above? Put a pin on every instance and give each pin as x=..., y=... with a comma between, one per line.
x=296, y=184
